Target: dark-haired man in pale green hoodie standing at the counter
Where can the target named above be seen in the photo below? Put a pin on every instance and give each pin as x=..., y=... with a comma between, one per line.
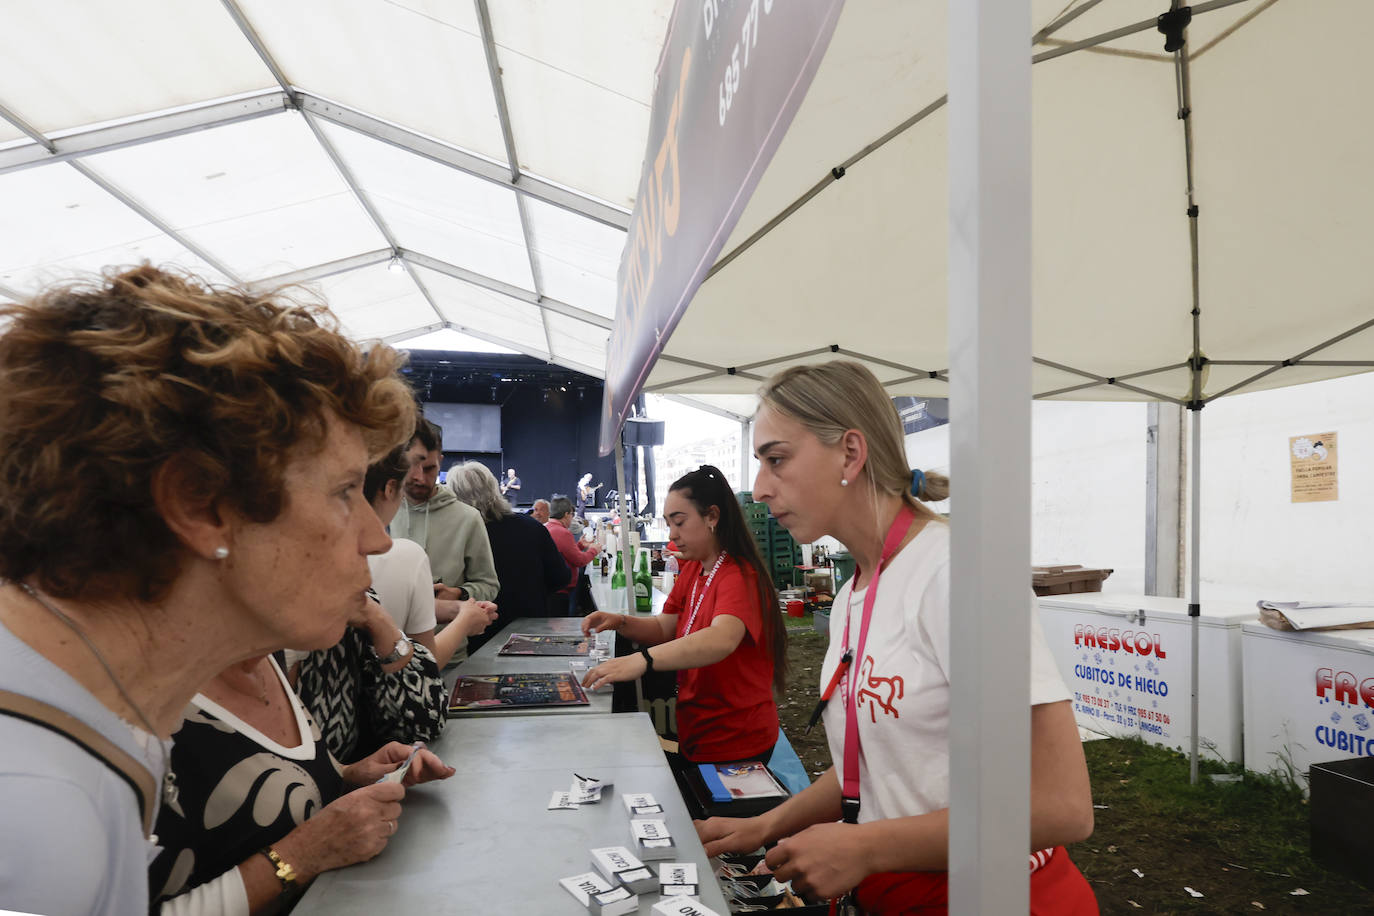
x=450, y=532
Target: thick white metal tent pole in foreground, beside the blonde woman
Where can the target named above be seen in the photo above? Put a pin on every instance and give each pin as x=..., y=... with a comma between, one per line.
x=990, y=443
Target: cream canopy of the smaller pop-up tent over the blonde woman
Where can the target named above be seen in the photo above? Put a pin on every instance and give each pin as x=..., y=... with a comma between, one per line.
x=1285, y=209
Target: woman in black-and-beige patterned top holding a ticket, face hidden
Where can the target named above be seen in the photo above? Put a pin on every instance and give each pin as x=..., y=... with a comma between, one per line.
x=263, y=807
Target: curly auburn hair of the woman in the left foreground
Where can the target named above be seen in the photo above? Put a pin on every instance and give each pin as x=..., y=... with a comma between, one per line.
x=105, y=381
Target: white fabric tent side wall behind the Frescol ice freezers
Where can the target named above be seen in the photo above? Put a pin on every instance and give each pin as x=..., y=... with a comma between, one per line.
x=1089, y=492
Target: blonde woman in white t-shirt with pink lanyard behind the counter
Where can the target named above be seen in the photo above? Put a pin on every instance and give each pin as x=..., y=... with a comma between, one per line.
x=833, y=462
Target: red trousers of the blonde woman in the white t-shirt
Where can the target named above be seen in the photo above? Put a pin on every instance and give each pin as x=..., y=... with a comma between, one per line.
x=1059, y=889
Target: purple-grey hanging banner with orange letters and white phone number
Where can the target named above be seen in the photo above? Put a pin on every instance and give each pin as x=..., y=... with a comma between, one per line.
x=730, y=80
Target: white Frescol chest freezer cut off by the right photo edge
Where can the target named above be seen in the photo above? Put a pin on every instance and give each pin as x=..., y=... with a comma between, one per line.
x=1309, y=698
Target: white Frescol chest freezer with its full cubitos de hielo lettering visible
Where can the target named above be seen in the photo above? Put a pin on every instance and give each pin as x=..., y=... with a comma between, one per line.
x=1126, y=659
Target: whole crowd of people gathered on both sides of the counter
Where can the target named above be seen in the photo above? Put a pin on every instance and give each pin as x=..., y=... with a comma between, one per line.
x=230, y=582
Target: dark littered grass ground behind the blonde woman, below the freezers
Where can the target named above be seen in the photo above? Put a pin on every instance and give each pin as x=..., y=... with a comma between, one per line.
x=1243, y=845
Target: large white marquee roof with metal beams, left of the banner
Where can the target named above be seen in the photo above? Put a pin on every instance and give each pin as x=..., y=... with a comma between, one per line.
x=324, y=142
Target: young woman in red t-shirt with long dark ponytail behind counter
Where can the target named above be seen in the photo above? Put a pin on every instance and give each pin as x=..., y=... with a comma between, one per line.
x=721, y=630
